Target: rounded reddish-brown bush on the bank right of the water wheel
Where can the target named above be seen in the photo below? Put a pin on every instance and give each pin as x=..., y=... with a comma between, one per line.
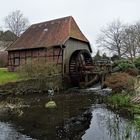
x=120, y=81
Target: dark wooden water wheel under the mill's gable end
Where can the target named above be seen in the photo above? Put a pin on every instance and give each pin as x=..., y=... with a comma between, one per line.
x=80, y=67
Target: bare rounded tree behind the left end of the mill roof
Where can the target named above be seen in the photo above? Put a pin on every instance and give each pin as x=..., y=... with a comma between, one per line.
x=16, y=22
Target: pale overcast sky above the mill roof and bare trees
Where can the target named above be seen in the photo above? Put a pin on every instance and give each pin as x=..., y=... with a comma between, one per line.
x=90, y=15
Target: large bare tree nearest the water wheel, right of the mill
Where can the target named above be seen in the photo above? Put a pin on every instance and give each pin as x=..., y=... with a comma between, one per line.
x=111, y=38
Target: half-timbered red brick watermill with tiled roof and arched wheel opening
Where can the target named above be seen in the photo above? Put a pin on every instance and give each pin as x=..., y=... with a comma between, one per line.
x=59, y=40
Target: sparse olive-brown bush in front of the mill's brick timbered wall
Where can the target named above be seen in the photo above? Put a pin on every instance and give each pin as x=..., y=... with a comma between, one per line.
x=38, y=69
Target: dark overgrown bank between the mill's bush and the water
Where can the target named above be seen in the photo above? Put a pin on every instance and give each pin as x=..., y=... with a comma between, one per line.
x=31, y=86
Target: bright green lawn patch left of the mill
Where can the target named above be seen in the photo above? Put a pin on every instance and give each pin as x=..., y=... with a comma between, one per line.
x=6, y=76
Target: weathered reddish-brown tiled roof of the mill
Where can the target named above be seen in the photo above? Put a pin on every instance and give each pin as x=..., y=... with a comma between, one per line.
x=47, y=34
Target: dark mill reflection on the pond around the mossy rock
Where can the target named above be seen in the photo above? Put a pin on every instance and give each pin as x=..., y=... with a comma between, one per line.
x=46, y=123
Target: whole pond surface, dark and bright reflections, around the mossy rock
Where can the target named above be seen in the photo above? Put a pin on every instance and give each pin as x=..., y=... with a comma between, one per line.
x=76, y=117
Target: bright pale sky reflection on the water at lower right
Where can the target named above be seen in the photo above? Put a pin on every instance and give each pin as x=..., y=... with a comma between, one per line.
x=105, y=125
